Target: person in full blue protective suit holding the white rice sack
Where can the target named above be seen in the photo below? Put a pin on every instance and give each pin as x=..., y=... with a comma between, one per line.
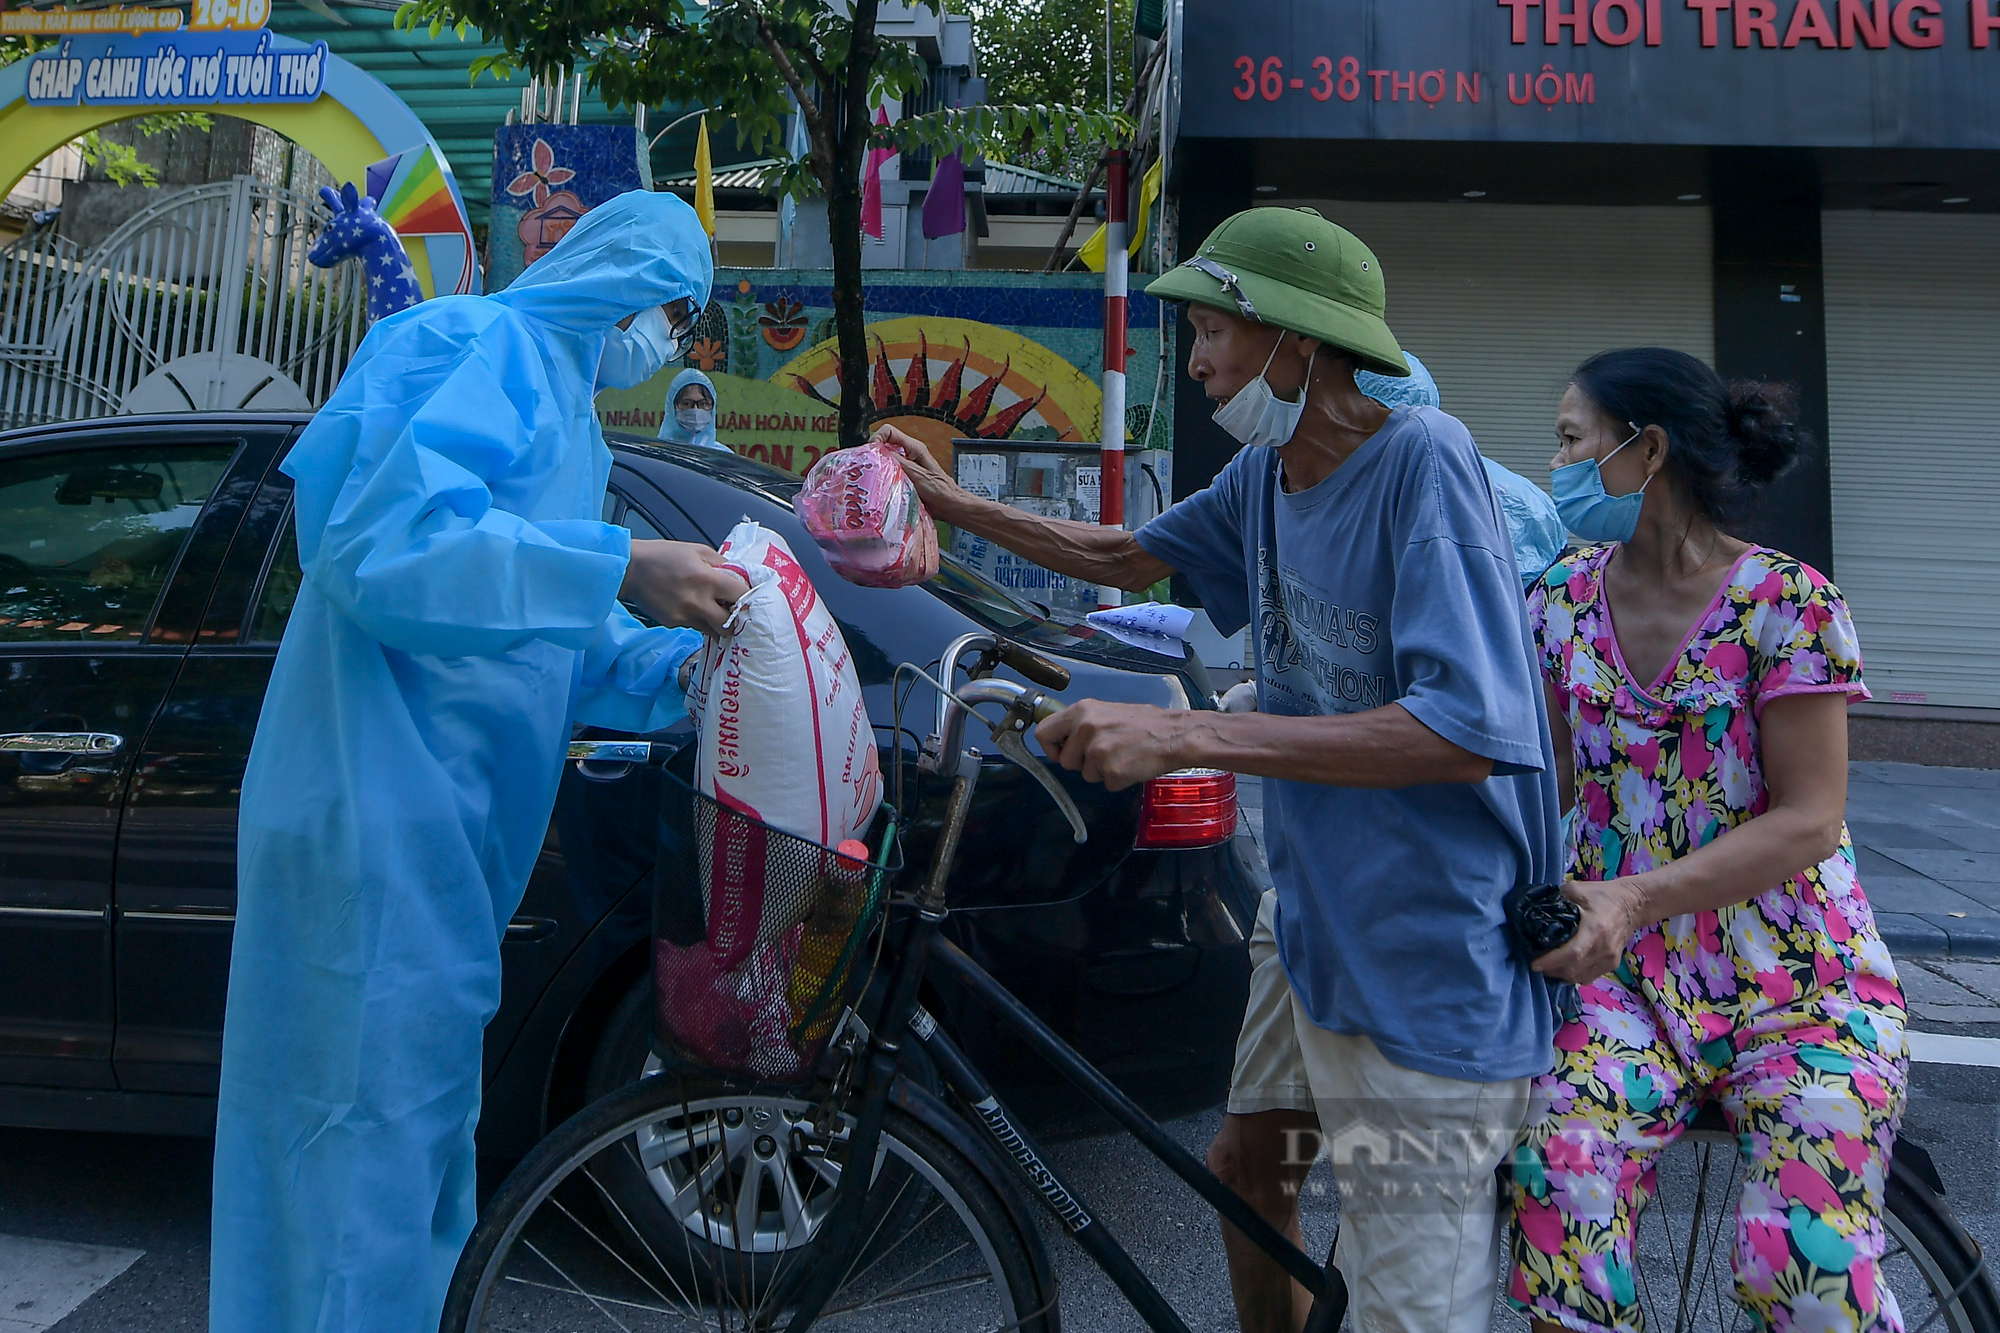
x=461, y=611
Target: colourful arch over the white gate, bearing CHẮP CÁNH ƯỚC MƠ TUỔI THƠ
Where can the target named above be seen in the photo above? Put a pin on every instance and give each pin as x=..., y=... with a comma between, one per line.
x=353, y=125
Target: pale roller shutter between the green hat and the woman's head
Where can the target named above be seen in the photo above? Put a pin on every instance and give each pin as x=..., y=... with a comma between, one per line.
x=1503, y=301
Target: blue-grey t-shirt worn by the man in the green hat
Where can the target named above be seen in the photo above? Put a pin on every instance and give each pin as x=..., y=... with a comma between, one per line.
x=1393, y=581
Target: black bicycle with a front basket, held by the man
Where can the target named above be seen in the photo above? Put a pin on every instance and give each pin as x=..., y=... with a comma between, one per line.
x=723, y=1198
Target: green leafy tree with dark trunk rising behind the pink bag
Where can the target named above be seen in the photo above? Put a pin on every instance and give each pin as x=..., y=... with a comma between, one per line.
x=757, y=61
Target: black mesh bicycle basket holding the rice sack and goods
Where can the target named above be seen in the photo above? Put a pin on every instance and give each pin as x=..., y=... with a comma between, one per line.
x=757, y=938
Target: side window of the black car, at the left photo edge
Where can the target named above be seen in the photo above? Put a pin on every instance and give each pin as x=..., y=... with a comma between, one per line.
x=89, y=537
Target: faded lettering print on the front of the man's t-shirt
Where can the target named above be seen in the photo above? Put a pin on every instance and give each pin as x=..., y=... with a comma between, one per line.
x=1315, y=655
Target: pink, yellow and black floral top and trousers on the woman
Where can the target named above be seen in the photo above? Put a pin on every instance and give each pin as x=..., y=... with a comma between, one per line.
x=1783, y=1010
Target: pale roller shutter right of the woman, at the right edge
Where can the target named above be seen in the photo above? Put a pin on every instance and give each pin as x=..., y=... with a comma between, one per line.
x=1915, y=449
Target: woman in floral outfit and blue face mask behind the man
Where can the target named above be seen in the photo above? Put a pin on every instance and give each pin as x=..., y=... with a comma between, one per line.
x=1699, y=692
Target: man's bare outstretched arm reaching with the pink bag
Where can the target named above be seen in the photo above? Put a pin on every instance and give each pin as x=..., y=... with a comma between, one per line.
x=1077, y=549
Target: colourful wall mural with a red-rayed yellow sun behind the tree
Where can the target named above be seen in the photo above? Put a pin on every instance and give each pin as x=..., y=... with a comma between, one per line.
x=953, y=355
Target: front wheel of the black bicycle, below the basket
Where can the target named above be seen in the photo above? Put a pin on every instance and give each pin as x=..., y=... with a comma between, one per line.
x=667, y=1208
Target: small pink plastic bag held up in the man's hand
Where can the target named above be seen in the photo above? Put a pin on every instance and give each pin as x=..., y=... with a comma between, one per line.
x=865, y=515
